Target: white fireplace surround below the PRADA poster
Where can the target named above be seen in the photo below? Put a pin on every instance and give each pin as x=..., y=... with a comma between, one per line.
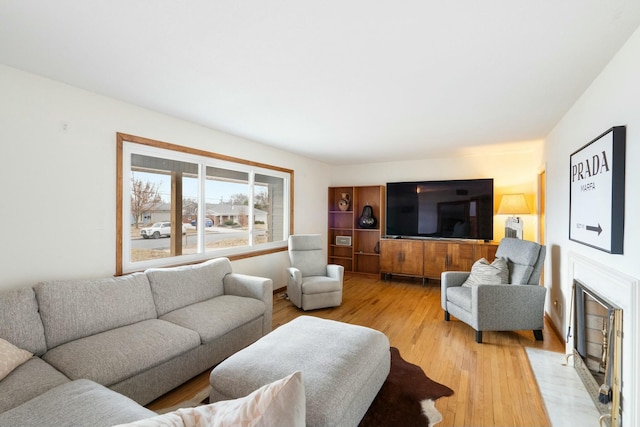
x=621, y=290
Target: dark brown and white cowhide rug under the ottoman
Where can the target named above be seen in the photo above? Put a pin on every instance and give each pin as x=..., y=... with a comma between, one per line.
x=407, y=398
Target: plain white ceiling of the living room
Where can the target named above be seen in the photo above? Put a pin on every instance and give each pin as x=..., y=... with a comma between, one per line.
x=344, y=82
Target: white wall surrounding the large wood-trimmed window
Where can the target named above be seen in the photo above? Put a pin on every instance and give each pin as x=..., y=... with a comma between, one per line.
x=58, y=179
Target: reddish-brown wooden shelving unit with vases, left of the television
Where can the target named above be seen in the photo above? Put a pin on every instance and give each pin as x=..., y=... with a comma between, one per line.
x=362, y=256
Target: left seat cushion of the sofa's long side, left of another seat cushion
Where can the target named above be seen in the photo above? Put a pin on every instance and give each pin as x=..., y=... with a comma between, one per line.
x=112, y=356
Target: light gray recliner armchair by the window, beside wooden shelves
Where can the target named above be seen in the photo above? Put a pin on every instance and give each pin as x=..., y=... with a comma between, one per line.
x=311, y=282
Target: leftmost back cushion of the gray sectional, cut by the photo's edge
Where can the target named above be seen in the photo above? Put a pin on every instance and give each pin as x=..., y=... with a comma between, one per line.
x=20, y=322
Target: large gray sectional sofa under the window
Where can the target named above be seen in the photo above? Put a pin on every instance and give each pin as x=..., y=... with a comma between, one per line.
x=119, y=343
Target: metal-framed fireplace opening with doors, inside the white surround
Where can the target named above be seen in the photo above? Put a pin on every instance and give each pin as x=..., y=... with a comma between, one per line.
x=597, y=341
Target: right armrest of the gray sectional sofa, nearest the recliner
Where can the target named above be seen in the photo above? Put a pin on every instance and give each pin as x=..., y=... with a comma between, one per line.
x=261, y=288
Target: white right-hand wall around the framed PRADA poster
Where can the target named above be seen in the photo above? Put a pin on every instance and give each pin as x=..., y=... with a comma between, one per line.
x=613, y=99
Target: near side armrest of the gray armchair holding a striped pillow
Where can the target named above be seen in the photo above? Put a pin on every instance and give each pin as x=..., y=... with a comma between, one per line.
x=508, y=307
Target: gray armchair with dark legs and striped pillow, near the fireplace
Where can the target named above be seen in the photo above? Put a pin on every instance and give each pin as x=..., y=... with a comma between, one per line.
x=518, y=305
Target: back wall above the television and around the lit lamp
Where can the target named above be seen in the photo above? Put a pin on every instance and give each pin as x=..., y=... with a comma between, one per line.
x=514, y=168
